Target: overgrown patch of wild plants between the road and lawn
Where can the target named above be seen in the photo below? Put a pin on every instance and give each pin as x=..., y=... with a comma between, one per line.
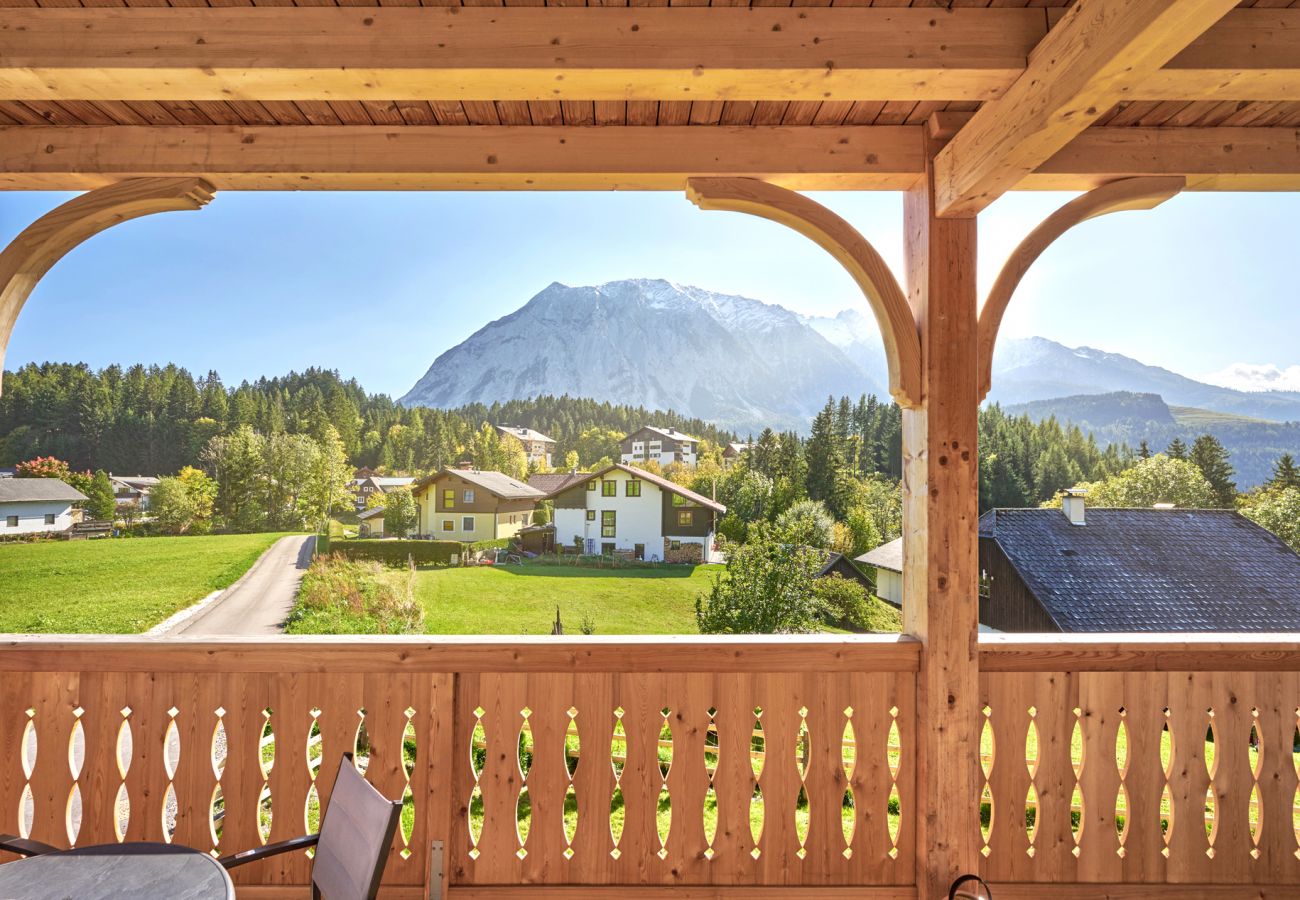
x=343, y=596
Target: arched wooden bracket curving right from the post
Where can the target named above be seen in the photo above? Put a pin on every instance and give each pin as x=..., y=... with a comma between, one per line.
x=1116, y=197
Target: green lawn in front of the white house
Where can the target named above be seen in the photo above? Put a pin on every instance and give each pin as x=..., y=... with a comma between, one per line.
x=518, y=600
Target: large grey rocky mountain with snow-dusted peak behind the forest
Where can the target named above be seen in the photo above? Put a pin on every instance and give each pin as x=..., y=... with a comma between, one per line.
x=735, y=361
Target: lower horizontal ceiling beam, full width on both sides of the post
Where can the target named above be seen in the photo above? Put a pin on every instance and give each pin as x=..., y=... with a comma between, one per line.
x=609, y=158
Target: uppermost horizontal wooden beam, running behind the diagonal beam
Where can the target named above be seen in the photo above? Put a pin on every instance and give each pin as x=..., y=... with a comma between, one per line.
x=608, y=54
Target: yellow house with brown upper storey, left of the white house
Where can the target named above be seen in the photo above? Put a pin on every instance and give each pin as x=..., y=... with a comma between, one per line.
x=471, y=505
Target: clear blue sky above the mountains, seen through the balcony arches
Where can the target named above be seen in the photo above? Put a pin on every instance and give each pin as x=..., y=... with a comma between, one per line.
x=376, y=285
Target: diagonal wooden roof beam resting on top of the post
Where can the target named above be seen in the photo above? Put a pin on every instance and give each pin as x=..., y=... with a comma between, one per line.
x=1099, y=54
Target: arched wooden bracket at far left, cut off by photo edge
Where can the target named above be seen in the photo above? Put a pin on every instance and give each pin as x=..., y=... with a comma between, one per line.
x=49, y=240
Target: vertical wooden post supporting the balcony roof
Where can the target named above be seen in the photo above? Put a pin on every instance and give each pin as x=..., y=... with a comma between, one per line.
x=941, y=551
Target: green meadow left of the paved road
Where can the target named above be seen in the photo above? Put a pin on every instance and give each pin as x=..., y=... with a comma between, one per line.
x=116, y=587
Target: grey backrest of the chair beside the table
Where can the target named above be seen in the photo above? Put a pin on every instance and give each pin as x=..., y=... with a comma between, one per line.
x=357, y=833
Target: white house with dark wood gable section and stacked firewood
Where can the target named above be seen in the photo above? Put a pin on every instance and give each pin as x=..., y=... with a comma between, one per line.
x=626, y=510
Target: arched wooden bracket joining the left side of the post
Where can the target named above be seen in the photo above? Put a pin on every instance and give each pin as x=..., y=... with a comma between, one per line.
x=853, y=252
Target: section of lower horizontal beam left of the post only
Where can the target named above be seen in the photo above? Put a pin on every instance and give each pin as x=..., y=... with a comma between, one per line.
x=462, y=158
